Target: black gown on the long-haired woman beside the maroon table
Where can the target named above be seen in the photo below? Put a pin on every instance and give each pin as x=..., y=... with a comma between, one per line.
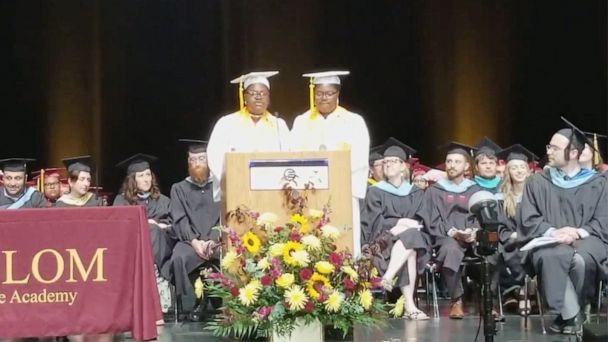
x=161, y=239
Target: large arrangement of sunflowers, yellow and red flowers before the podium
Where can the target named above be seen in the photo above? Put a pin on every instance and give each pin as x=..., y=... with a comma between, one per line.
x=273, y=275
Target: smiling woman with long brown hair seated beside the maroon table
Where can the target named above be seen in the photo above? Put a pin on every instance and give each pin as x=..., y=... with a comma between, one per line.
x=140, y=187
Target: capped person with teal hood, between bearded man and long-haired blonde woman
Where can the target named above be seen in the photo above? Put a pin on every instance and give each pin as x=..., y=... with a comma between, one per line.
x=486, y=163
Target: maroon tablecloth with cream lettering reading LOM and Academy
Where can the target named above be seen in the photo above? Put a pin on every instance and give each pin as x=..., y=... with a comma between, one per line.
x=77, y=271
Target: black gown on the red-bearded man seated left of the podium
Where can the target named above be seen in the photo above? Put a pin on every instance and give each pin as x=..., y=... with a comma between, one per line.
x=194, y=214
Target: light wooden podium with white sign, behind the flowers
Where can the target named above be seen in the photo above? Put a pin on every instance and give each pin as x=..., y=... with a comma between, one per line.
x=255, y=180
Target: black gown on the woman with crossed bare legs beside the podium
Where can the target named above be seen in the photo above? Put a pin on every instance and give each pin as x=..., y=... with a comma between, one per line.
x=381, y=212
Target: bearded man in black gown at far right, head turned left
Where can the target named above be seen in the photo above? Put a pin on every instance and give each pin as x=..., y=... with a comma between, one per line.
x=568, y=205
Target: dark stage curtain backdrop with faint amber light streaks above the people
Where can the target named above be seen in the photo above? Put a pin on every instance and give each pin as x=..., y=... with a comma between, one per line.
x=112, y=77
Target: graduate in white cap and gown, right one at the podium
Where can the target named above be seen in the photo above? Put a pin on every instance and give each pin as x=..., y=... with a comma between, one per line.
x=328, y=126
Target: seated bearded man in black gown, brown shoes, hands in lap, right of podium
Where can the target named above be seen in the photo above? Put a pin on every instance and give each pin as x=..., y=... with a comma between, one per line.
x=449, y=223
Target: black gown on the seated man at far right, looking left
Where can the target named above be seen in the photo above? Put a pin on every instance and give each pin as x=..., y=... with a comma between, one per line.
x=545, y=205
